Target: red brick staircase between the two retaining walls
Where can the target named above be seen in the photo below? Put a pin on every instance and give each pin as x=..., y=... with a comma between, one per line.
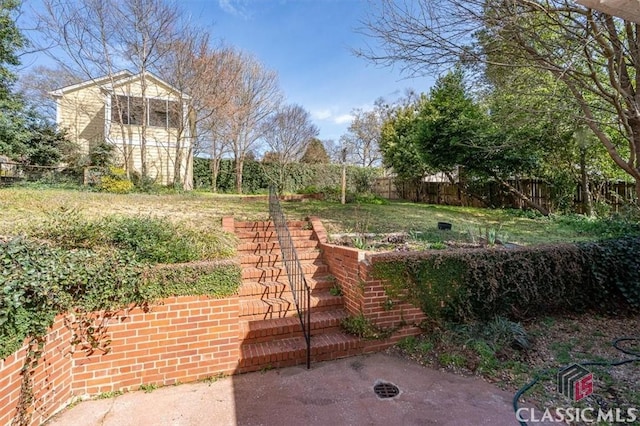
x=271, y=334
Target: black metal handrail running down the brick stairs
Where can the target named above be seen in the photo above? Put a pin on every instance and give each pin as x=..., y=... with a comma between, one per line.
x=297, y=282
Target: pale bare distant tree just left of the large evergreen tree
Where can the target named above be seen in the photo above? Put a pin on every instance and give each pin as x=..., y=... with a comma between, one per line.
x=363, y=136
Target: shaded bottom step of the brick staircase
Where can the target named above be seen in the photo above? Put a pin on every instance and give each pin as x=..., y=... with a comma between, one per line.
x=292, y=351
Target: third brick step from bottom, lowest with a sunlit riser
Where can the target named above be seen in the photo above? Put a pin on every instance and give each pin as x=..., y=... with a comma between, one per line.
x=283, y=306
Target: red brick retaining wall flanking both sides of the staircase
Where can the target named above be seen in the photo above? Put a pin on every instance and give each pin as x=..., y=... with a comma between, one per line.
x=181, y=339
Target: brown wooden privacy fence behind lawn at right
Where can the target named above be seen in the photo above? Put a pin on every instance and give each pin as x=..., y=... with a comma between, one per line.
x=540, y=192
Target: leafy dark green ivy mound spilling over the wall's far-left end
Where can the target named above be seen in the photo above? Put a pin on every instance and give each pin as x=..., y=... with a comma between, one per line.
x=39, y=281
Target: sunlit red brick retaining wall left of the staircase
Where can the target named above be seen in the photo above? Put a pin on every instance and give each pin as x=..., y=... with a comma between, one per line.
x=183, y=339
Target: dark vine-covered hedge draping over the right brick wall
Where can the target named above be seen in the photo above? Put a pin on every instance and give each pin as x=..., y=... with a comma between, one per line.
x=479, y=284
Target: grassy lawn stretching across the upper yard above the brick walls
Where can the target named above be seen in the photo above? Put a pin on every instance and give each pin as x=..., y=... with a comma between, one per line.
x=22, y=207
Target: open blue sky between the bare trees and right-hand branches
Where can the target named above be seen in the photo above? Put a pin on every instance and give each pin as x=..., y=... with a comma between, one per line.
x=308, y=43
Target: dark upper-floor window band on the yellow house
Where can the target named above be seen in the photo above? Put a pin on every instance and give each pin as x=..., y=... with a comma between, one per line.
x=130, y=110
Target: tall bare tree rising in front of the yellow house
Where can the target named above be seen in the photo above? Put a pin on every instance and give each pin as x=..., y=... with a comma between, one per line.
x=97, y=38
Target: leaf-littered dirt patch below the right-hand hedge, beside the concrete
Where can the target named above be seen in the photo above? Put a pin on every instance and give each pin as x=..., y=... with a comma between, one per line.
x=553, y=343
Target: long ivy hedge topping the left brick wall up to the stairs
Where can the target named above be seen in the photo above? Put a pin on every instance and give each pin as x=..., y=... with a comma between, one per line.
x=38, y=282
